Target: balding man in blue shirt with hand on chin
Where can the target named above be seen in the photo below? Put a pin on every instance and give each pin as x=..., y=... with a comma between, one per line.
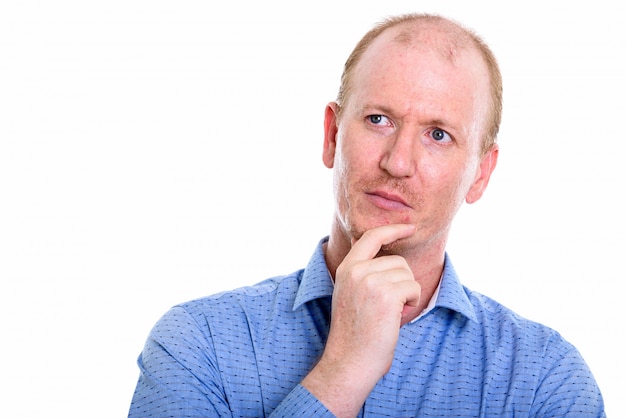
x=378, y=323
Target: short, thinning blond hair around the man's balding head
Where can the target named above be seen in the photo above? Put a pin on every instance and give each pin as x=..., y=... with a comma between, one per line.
x=459, y=37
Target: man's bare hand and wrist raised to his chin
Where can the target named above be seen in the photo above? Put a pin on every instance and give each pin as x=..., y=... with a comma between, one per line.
x=373, y=298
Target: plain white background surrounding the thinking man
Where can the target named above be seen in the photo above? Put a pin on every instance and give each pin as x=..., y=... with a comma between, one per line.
x=152, y=152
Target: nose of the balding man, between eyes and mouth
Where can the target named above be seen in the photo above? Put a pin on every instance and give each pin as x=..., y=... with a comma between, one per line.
x=399, y=159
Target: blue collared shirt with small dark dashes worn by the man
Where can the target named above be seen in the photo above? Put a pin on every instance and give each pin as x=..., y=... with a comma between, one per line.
x=244, y=352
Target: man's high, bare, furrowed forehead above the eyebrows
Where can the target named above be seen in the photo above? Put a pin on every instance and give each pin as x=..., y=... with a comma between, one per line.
x=427, y=70
